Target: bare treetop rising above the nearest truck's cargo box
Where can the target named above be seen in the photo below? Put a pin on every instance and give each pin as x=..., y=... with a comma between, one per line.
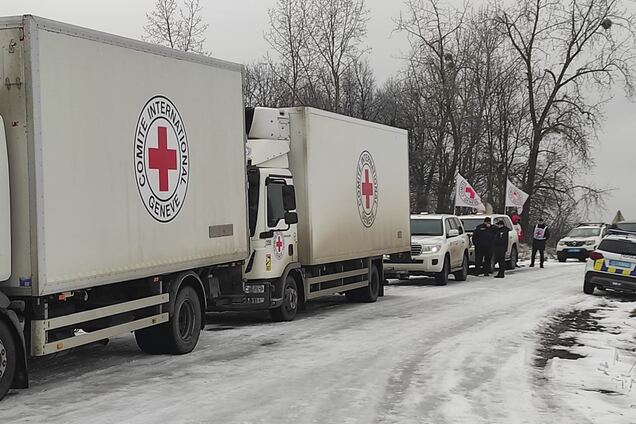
x=177, y=27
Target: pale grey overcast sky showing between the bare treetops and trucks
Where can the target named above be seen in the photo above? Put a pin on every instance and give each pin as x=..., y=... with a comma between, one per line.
x=236, y=34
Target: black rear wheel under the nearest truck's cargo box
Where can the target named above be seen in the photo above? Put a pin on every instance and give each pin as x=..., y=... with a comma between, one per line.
x=185, y=326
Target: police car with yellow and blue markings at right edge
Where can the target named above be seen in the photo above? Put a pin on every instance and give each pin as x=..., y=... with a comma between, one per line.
x=612, y=265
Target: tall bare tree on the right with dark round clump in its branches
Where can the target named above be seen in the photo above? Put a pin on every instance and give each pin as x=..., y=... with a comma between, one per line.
x=572, y=53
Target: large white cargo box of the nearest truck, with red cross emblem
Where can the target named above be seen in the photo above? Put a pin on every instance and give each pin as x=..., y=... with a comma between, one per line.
x=126, y=160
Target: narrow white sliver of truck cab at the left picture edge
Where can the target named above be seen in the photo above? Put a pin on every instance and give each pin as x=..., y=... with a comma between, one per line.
x=5, y=208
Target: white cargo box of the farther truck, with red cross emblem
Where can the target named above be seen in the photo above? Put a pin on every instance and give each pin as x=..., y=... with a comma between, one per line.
x=352, y=187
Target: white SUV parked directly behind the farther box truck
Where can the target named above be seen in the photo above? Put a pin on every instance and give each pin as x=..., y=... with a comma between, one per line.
x=439, y=247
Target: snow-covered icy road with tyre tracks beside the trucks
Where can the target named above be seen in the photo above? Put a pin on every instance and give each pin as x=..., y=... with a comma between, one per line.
x=422, y=354
